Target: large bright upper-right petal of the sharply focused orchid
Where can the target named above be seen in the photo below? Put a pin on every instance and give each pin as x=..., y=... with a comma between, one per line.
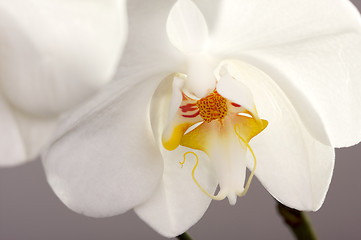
x=311, y=49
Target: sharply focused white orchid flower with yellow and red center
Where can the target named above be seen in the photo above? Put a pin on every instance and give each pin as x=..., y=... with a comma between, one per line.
x=230, y=66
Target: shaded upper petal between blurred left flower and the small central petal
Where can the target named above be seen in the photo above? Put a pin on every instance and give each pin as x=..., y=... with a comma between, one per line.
x=148, y=49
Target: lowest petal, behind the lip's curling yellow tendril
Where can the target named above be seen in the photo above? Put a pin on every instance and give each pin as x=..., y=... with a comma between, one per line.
x=178, y=203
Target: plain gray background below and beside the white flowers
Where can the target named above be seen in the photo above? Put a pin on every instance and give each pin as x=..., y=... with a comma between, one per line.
x=30, y=211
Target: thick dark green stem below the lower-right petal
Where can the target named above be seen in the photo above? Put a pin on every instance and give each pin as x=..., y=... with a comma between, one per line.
x=298, y=222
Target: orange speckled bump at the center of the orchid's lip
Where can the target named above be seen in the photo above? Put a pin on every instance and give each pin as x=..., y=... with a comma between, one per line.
x=212, y=107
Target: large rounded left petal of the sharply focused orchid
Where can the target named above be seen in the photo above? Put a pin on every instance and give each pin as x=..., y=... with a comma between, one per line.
x=105, y=160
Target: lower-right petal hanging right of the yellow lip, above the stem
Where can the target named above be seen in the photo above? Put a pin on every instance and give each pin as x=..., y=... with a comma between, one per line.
x=293, y=166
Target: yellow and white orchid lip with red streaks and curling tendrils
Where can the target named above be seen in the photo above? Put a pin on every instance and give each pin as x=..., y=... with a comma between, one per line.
x=224, y=130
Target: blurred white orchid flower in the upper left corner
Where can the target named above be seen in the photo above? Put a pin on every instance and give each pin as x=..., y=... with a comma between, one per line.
x=53, y=55
